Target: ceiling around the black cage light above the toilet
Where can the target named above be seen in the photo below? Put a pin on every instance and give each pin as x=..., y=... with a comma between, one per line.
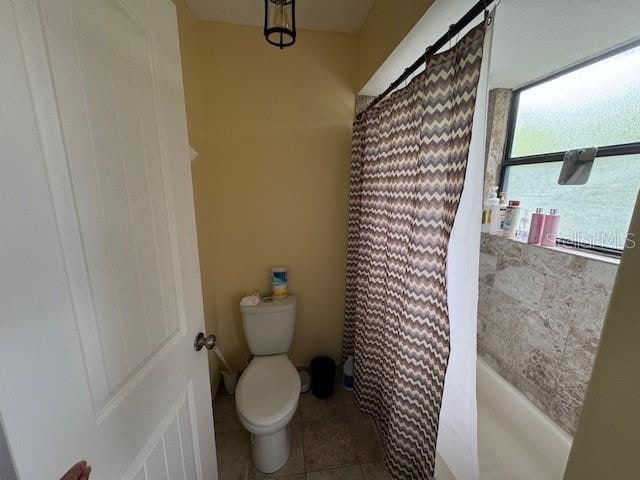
x=325, y=15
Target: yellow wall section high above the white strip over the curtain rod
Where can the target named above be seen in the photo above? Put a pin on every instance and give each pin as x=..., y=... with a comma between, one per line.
x=387, y=23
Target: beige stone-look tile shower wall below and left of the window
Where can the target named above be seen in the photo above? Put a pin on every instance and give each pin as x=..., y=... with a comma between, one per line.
x=540, y=311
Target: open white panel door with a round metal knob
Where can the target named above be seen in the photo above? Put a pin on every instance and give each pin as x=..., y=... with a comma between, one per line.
x=100, y=295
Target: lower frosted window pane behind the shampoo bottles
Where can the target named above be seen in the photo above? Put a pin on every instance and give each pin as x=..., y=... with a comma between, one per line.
x=597, y=213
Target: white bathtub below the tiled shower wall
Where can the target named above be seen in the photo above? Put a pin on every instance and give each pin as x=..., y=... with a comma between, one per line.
x=516, y=441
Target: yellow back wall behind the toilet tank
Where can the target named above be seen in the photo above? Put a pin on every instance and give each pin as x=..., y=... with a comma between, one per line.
x=275, y=183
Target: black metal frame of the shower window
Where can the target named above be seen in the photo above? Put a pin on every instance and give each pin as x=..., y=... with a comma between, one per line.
x=603, y=151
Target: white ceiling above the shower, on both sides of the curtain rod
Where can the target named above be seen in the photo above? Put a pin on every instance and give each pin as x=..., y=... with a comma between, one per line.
x=531, y=39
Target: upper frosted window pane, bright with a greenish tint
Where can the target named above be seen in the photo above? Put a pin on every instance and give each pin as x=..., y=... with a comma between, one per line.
x=593, y=106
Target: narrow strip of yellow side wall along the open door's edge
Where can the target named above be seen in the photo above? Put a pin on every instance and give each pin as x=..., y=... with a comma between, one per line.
x=194, y=89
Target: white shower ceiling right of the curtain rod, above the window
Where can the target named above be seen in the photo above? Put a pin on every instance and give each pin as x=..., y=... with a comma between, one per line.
x=534, y=39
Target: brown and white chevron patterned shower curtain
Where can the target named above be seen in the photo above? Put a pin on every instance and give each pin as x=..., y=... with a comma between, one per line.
x=409, y=158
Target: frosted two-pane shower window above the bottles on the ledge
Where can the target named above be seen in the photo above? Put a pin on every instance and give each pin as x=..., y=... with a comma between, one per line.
x=592, y=105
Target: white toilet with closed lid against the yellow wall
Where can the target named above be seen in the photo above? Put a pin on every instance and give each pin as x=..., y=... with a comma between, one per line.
x=268, y=390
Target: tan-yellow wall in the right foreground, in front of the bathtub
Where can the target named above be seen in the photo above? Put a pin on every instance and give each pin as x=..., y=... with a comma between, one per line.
x=606, y=443
